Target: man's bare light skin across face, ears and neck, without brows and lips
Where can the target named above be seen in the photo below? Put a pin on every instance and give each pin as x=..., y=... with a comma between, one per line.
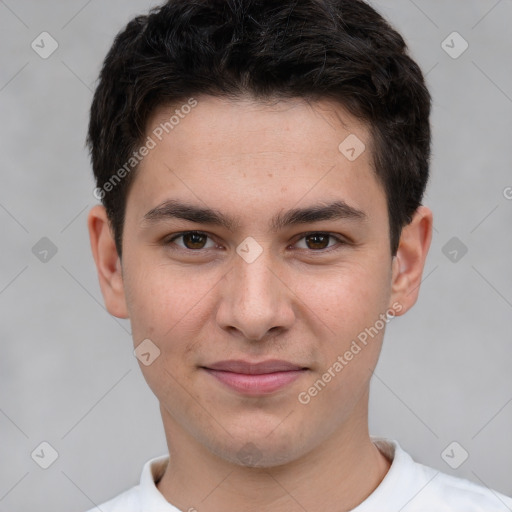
x=201, y=302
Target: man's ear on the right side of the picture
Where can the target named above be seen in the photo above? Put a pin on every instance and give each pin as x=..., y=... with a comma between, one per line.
x=410, y=259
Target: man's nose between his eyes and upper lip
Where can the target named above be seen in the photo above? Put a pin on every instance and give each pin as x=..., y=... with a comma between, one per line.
x=256, y=302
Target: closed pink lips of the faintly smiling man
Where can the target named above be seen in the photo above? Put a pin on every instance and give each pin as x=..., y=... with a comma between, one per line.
x=254, y=379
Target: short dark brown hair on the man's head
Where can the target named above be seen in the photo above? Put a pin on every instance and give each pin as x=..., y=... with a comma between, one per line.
x=312, y=49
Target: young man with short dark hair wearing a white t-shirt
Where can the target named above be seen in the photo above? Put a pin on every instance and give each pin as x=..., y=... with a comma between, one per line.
x=261, y=167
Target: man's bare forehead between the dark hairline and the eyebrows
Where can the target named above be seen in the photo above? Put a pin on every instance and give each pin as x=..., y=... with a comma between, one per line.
x=251, y=156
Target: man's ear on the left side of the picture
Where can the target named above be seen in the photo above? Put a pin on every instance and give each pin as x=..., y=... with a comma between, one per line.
x=107, y=261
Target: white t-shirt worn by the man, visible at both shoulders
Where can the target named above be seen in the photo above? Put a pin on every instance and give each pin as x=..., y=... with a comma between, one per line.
x=407, y=487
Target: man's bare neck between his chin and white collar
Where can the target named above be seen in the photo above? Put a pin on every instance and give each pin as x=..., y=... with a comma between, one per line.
x=338, y=475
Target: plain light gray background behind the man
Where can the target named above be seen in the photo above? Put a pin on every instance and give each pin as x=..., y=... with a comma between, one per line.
x=68, y=374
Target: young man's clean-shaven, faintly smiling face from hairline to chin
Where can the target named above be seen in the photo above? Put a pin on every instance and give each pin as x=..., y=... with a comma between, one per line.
x=263, y=285
